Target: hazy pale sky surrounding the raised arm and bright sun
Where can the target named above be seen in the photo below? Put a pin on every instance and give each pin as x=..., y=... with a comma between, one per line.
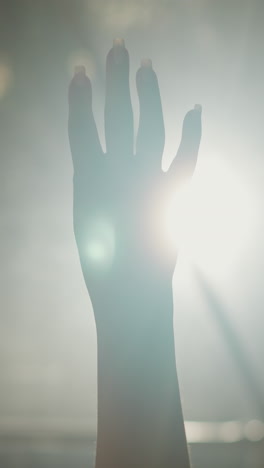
x=203, y=51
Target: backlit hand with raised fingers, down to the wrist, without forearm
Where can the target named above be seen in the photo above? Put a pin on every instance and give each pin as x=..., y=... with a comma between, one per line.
x=120, y=198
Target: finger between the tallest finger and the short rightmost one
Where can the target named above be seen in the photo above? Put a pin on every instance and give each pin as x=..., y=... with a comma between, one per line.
x=151, y=132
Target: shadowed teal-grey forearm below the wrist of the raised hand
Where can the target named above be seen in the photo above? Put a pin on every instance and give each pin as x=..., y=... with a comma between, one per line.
x=139, y=409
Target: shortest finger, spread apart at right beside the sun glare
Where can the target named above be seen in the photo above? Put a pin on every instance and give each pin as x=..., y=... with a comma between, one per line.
x=185, y=161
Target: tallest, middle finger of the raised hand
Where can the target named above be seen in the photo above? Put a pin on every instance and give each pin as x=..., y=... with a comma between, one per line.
x=118, y=110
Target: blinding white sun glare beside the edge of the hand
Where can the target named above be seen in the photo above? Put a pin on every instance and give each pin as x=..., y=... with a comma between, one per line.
x=211, y=219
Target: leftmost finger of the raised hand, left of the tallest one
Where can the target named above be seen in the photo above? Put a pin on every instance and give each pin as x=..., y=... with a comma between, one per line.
x=83, y=135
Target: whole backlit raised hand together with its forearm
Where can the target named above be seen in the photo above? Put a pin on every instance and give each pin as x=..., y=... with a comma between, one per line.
x=119, y=201
